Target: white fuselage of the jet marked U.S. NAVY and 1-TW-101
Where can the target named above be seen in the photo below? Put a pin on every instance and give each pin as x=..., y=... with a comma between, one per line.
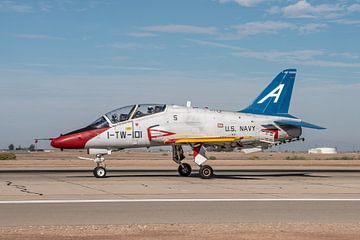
x=178, y=122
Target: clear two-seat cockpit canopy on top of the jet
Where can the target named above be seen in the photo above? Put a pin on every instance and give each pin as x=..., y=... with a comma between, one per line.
x=126, y=113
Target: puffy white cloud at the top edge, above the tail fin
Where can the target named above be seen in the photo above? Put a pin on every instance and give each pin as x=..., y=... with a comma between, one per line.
x=303, y=9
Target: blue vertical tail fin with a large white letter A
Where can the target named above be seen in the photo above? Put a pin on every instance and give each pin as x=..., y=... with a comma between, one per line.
x=275, y=99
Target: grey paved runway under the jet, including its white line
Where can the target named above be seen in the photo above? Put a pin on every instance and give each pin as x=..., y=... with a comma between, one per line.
x=75, y=197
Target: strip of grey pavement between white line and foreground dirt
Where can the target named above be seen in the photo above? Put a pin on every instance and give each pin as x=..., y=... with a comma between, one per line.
x=180, y=213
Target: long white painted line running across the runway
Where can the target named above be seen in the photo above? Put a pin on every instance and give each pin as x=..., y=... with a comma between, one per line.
x=181, y=200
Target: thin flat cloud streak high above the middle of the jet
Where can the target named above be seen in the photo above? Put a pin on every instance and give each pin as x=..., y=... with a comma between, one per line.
x=174, y=28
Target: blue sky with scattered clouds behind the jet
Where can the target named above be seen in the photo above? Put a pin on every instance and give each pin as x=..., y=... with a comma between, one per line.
x=64, y=63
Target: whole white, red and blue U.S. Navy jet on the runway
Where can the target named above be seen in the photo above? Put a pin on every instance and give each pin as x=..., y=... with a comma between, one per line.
x=264, y=123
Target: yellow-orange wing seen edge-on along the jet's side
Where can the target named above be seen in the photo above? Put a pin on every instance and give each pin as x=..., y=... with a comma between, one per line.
x=213, y=140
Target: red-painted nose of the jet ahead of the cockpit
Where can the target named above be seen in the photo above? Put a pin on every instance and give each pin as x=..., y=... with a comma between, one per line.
x=75, y=140
